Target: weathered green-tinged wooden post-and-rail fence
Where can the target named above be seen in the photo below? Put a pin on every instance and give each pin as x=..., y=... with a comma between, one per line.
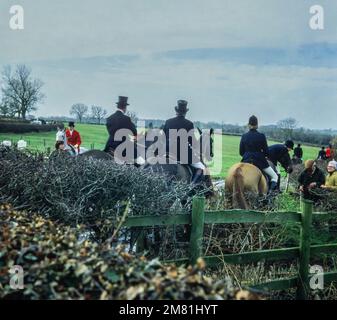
x=303, y=253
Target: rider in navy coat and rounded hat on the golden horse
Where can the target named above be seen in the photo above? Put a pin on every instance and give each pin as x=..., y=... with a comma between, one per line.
x=254, y=150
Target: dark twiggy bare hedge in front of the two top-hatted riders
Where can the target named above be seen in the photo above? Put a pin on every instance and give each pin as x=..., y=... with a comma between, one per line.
x=84, y=190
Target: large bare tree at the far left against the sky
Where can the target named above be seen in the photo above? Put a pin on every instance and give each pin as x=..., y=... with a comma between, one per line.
x=20, y=92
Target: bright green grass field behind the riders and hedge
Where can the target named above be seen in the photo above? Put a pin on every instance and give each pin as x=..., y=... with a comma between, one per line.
x=96, y=136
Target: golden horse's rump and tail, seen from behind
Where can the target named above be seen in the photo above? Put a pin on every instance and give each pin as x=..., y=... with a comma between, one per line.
x=243, y=178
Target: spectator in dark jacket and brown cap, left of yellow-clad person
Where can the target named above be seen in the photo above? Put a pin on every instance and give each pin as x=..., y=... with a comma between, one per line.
x=310, y=179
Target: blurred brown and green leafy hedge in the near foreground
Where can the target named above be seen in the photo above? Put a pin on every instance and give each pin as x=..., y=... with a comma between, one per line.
x=57, y=266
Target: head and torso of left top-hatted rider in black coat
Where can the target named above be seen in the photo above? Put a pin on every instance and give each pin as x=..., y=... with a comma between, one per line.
x=119, y=121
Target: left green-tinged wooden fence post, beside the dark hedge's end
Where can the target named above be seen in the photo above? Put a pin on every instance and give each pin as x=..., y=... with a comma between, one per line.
x=197, y=228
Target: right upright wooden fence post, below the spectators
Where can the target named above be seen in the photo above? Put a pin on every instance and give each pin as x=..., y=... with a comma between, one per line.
x=305, y=239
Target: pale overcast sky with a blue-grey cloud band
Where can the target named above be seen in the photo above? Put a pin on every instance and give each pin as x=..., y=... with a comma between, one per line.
x=228, y=58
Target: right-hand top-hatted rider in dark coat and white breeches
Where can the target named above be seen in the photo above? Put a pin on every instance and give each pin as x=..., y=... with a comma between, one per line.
x=180, y=124
